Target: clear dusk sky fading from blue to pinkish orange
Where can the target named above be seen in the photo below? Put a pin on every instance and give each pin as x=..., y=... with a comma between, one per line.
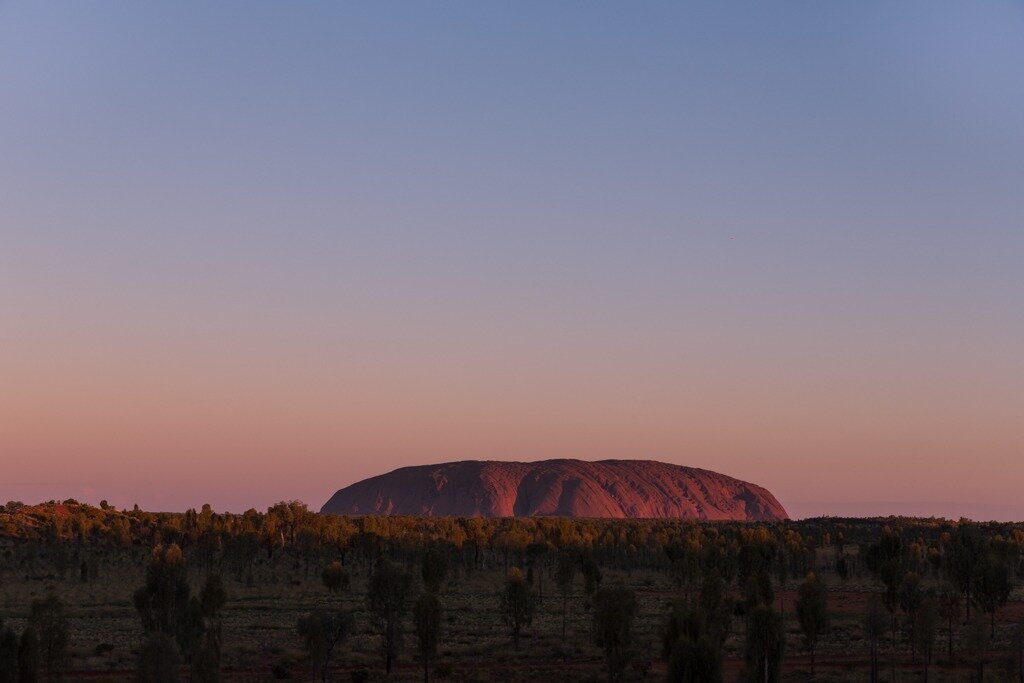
x=254, y=251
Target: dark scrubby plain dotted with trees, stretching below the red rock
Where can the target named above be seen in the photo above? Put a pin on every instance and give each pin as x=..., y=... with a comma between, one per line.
x=107, y=594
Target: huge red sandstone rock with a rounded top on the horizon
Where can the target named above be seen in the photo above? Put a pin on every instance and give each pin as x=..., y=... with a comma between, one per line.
x=562, y=488
